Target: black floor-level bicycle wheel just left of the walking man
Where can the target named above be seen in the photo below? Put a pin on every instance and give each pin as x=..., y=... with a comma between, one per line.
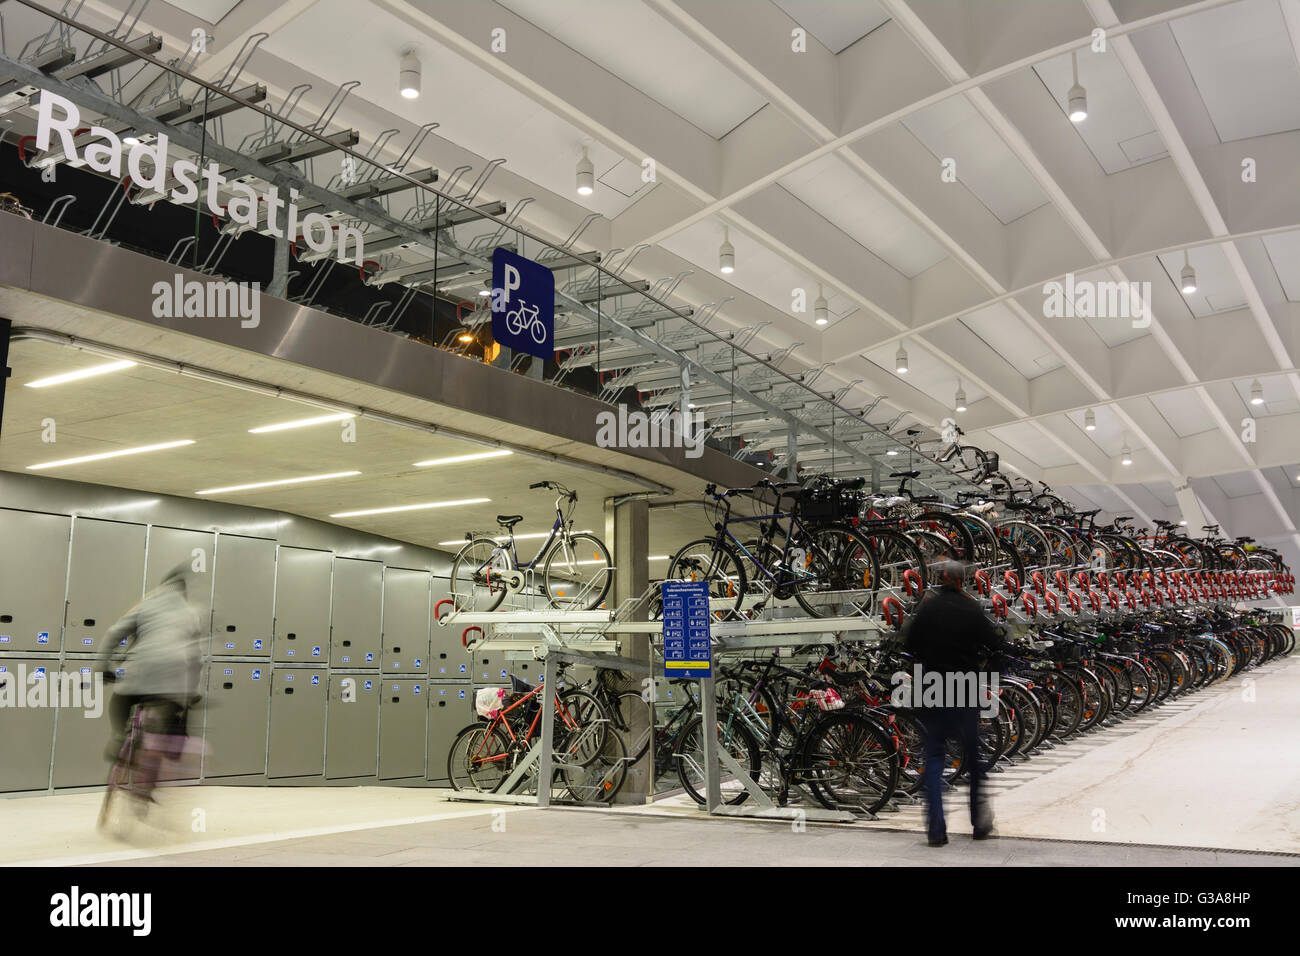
x=853, y=763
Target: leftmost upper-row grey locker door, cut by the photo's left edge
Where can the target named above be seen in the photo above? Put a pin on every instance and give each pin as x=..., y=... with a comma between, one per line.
x=33, y=581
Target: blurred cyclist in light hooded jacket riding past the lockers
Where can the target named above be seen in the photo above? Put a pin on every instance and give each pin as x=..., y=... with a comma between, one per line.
x=157, y=646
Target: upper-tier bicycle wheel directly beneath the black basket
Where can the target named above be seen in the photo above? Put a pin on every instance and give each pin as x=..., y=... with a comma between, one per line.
x=839, y=574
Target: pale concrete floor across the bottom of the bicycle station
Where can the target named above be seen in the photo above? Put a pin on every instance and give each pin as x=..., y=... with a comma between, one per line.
x=1198, y=782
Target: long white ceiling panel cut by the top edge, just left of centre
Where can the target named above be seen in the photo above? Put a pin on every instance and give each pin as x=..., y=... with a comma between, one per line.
x=636, y=45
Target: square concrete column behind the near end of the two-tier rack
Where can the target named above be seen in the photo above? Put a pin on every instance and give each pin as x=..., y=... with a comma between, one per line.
x=629, y=534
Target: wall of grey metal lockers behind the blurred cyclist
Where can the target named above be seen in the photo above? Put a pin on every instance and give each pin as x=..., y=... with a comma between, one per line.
x=298, y=616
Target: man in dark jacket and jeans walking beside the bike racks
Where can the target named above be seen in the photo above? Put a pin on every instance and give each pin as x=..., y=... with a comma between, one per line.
x=951, y=635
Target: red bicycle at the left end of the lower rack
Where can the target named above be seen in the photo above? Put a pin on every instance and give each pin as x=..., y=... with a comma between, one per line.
x=590, y=762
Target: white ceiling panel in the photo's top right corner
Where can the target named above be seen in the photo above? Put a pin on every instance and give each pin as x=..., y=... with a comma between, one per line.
x=1245, y=66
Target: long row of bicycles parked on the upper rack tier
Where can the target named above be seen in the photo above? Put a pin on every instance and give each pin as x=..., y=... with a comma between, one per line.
x=838, y=551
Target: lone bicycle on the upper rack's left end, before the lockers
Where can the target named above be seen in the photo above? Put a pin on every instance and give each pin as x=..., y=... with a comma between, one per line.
x=487, y=570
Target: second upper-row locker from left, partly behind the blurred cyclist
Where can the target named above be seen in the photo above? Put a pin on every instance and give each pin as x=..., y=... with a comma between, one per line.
x=106, y=579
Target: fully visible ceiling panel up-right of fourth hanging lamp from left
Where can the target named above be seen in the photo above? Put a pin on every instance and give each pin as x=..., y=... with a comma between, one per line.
x=842, y=197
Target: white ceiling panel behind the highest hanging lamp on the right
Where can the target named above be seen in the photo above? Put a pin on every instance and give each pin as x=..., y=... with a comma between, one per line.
x=1119, y=131
